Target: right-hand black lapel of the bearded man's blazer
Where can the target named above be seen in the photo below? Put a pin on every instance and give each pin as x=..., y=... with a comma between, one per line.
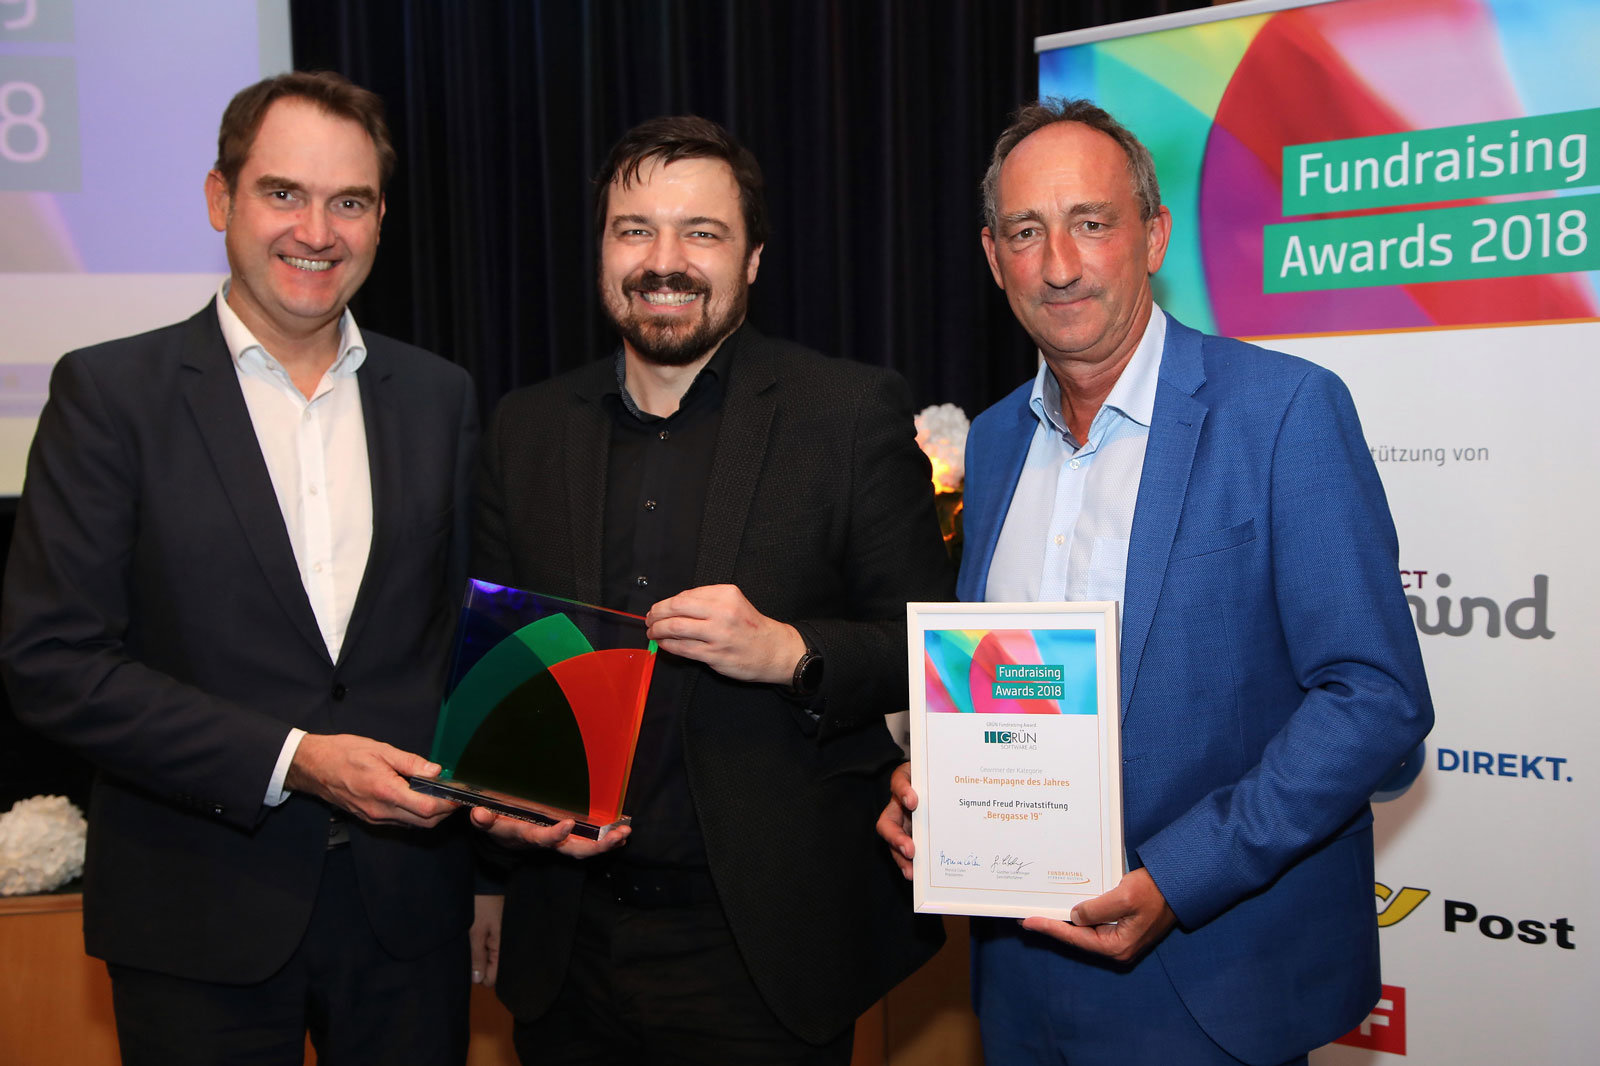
x=742, y=454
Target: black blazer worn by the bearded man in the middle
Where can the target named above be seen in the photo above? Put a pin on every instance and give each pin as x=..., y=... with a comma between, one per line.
x=820, y=508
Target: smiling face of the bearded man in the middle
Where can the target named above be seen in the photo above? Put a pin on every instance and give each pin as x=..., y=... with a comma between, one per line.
x=674, y=266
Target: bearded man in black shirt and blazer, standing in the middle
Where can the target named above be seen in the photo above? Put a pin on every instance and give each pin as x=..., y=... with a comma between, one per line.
x=770, y=513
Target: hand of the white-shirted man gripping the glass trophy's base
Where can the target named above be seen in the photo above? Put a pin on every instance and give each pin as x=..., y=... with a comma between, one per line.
x=367, y=779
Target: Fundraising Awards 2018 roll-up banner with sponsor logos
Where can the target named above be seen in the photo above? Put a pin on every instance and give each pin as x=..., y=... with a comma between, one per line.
x=1409, y=193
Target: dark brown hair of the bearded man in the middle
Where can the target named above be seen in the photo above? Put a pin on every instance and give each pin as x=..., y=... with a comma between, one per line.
x=686, y=137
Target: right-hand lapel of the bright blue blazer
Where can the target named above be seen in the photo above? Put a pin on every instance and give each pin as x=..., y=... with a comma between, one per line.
x=1164, y=483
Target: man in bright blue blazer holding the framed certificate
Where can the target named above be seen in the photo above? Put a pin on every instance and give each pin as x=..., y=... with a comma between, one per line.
x=1271, y=673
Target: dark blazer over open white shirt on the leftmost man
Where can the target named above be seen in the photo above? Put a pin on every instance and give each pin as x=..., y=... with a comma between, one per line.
x=154, y=620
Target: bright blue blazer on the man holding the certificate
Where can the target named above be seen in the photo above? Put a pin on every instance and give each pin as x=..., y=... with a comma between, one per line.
x=1271, y=679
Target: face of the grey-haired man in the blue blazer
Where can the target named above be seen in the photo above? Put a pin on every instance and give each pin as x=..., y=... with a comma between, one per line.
x=1071, y=250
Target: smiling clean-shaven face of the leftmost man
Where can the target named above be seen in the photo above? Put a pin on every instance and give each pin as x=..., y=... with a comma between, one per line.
x=302, y=222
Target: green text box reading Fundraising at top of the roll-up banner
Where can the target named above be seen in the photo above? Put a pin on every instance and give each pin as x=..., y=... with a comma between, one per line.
x=1486, y=159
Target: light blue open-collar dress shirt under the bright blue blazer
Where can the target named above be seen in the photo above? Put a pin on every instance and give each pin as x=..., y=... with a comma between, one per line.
x=1066, y=532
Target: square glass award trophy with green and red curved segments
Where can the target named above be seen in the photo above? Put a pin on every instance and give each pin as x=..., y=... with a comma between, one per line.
x=543, y=708
